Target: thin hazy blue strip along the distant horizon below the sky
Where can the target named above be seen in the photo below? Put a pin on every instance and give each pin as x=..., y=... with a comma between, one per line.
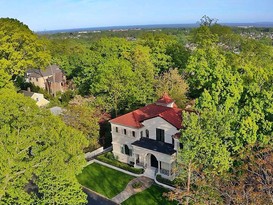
x=156, y=26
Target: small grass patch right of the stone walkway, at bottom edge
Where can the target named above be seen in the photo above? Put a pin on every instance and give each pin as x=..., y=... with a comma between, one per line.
x=150, y=196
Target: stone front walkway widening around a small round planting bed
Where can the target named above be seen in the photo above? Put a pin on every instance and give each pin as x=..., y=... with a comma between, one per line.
x=129, y=190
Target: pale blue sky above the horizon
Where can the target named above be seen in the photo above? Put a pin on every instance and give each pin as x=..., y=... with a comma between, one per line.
x=43, y=15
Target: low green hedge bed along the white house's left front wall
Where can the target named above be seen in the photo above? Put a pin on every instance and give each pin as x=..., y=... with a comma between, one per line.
x=109, y=158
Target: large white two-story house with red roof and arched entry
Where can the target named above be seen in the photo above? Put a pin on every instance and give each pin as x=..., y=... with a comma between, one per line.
x=147, y=137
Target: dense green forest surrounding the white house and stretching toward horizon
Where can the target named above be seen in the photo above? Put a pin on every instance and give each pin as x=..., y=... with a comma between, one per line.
x=227, y=153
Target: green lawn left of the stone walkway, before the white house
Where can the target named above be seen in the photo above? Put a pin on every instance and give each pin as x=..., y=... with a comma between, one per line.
x=104, y=180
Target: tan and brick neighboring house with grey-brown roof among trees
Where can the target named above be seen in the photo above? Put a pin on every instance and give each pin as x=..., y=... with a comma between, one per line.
x=51, y=79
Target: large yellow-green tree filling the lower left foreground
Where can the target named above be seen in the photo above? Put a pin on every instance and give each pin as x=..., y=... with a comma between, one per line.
x=40, y=155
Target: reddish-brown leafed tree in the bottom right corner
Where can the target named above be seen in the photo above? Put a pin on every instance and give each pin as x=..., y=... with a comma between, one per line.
x=251, y=178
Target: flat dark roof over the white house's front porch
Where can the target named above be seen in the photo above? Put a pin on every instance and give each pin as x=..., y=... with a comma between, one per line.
x=155, y=145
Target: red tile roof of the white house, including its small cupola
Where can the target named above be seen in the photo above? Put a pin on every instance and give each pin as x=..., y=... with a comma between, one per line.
x=173, y=115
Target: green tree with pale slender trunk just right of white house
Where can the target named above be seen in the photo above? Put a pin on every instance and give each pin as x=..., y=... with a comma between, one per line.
x=205, y=155
